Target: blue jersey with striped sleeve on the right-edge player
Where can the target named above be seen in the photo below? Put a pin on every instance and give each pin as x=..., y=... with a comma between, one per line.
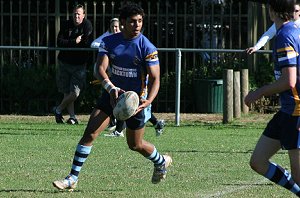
x=286, y=54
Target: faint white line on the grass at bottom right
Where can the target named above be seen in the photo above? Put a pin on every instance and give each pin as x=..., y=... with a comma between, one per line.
x=230, y=189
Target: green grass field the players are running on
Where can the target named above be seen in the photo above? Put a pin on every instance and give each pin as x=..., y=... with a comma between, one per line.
x=209, y=160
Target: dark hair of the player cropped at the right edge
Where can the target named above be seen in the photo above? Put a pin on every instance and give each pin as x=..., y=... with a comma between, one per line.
x=283, y=8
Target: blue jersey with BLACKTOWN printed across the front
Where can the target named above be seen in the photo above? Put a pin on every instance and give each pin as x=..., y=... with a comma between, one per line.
x=128, y=61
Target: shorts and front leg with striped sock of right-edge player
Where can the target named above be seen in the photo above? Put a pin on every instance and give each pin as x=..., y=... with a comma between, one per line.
x=269, y=143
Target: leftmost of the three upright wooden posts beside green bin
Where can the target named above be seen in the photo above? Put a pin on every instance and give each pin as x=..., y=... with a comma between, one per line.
x=228, y=96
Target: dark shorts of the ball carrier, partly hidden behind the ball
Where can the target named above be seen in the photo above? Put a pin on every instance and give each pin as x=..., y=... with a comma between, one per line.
x=135, y=122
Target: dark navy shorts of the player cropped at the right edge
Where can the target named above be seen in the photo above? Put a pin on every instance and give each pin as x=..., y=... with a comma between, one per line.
x=285, y=128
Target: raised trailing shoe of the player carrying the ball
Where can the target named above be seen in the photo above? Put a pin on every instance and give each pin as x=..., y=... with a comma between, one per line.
x=160, y=172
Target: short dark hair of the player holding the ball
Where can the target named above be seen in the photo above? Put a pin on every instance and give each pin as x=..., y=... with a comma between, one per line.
x=131, y=9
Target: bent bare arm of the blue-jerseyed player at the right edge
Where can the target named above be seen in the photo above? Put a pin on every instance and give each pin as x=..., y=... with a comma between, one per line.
x=286, y=81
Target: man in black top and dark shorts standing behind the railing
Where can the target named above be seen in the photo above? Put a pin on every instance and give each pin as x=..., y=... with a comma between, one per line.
x=75, y=33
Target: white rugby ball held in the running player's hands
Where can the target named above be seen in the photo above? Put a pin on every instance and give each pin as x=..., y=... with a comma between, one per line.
x=126, y=106
